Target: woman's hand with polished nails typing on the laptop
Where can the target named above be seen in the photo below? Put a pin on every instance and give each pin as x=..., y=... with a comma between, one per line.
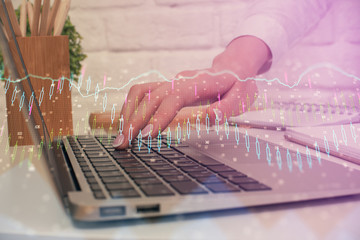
x=152, y=113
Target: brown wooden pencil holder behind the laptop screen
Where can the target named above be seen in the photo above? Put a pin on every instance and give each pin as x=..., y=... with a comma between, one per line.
x=47, y=61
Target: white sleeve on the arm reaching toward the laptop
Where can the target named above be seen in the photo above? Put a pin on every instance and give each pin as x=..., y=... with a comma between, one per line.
x=279, y=23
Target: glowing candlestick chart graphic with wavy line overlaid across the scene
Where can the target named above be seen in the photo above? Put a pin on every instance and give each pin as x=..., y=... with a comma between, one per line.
x=196, y=125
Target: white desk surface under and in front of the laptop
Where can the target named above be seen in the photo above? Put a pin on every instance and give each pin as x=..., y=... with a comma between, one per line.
x=30, y=209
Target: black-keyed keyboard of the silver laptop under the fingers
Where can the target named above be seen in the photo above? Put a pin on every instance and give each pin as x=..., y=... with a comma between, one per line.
x=146, y=171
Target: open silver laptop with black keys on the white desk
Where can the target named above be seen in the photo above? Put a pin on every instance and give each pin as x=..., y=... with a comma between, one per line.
x=163, y=177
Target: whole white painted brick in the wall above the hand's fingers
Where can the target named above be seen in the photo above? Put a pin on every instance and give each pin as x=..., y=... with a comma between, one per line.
x=158, y=29
